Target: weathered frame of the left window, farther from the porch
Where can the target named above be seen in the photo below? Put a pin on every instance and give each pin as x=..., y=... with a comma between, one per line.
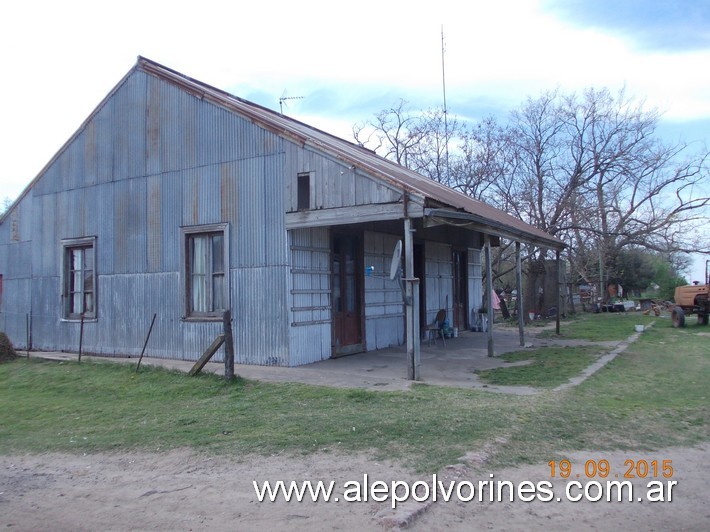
x=68, y=245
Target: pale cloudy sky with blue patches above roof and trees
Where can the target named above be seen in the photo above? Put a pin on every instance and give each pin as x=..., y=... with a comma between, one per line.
x=340, y=63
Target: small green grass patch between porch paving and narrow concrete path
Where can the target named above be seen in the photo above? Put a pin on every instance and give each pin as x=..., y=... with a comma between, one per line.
x=549, y=366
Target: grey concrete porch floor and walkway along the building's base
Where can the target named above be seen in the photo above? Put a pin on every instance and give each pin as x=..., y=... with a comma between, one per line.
x=382, y=369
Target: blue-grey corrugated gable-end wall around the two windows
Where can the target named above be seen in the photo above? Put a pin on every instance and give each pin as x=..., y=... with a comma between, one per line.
x=152, y=159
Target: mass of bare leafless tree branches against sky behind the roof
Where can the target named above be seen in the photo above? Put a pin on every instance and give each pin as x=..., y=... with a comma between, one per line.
x=586, y=167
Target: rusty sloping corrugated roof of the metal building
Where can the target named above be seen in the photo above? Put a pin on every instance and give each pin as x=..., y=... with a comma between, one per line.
x=447, y=202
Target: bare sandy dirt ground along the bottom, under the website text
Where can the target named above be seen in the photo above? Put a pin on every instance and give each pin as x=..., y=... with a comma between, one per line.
x=181, y=490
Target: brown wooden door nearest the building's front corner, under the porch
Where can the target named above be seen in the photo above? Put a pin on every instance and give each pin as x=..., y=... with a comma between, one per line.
x=347, y=270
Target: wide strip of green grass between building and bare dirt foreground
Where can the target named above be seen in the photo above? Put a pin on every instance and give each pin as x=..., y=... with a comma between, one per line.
x=651, y=396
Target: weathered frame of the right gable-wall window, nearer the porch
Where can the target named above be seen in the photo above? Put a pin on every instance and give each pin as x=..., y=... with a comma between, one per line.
x=186, y=235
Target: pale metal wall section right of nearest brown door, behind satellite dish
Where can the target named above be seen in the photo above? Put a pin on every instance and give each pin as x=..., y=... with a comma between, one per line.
x=384, y=309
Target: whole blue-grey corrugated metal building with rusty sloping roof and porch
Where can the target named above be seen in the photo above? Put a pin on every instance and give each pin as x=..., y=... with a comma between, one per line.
x=177, y=199
